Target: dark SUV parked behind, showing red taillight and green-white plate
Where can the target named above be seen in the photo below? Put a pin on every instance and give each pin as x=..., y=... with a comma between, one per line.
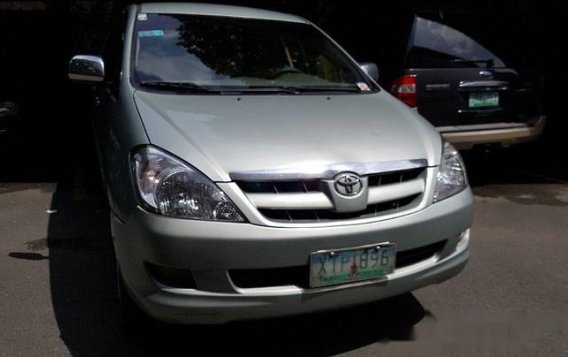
x=469, y=93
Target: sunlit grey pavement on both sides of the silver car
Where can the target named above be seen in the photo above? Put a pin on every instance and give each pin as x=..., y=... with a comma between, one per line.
x=57, y=285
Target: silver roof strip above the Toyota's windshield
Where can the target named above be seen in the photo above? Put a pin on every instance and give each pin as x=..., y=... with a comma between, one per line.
x=218, y=10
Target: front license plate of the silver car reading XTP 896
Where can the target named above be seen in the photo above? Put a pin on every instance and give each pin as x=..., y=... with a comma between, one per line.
x=333, y=267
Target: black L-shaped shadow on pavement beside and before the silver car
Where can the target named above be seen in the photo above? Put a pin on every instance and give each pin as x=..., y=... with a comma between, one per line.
x=86, y=307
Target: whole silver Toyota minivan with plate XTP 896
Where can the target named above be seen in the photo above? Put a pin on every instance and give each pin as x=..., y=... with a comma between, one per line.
x=254, y=169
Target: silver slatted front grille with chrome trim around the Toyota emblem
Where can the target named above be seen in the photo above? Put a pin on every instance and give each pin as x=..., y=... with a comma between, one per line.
x=288, y=198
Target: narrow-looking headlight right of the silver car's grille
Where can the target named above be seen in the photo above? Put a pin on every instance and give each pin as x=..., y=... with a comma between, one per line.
x=451, y=177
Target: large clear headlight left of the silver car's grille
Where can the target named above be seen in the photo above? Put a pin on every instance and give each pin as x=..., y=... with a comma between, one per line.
x=173, y=188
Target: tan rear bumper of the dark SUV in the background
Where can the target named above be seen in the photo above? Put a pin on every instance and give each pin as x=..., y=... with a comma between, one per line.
x=465, y=137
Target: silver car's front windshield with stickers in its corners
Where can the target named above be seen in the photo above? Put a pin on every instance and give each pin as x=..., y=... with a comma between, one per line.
x=225, y=53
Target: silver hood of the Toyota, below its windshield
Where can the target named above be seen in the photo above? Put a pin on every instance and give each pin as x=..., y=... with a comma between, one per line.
x=220, y=135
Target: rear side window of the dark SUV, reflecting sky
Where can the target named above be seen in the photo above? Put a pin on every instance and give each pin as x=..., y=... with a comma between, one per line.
x=436, y=45
